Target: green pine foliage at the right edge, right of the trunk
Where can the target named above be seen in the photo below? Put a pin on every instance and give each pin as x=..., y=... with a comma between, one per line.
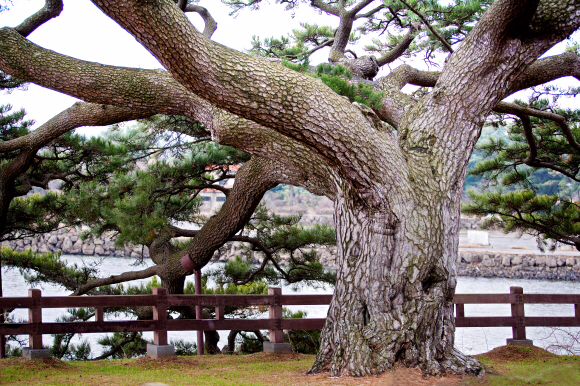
x=537, y=195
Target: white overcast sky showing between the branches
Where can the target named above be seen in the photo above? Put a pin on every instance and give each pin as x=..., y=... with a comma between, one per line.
x=84, y=32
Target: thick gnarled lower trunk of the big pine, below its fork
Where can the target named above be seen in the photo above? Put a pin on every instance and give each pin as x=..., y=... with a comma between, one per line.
x=395, y=286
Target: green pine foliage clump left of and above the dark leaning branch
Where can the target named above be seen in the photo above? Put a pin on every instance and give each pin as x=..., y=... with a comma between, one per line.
x=153, y=191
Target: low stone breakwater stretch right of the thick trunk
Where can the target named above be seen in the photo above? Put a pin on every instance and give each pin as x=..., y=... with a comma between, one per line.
x=546, y=267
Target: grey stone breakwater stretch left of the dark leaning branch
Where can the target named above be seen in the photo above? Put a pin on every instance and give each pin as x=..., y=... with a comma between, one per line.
x=68, y=241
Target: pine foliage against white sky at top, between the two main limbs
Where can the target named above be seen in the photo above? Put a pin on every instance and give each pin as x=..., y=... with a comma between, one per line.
x=452, y=20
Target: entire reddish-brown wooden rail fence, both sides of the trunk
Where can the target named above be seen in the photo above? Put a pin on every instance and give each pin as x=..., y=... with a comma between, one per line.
x=275, y=300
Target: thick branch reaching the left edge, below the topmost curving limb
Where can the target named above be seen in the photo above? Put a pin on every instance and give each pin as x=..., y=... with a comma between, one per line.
x=97, y=83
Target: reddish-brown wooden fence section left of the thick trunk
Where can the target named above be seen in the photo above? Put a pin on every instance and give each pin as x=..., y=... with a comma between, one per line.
x=160, y=301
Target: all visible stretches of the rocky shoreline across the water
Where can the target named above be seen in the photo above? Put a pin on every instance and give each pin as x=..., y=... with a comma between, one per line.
x=473, y=264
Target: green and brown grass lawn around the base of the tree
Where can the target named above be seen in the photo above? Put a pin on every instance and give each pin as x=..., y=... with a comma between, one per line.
x=507, y=366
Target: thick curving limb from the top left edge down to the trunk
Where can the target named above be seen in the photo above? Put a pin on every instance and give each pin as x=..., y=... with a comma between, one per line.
x=269, y=94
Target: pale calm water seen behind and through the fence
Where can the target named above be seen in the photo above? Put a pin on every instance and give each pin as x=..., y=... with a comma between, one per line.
x=469, y=340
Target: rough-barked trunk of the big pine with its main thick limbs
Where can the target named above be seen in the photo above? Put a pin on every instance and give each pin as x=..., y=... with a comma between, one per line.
x=396, y=194
